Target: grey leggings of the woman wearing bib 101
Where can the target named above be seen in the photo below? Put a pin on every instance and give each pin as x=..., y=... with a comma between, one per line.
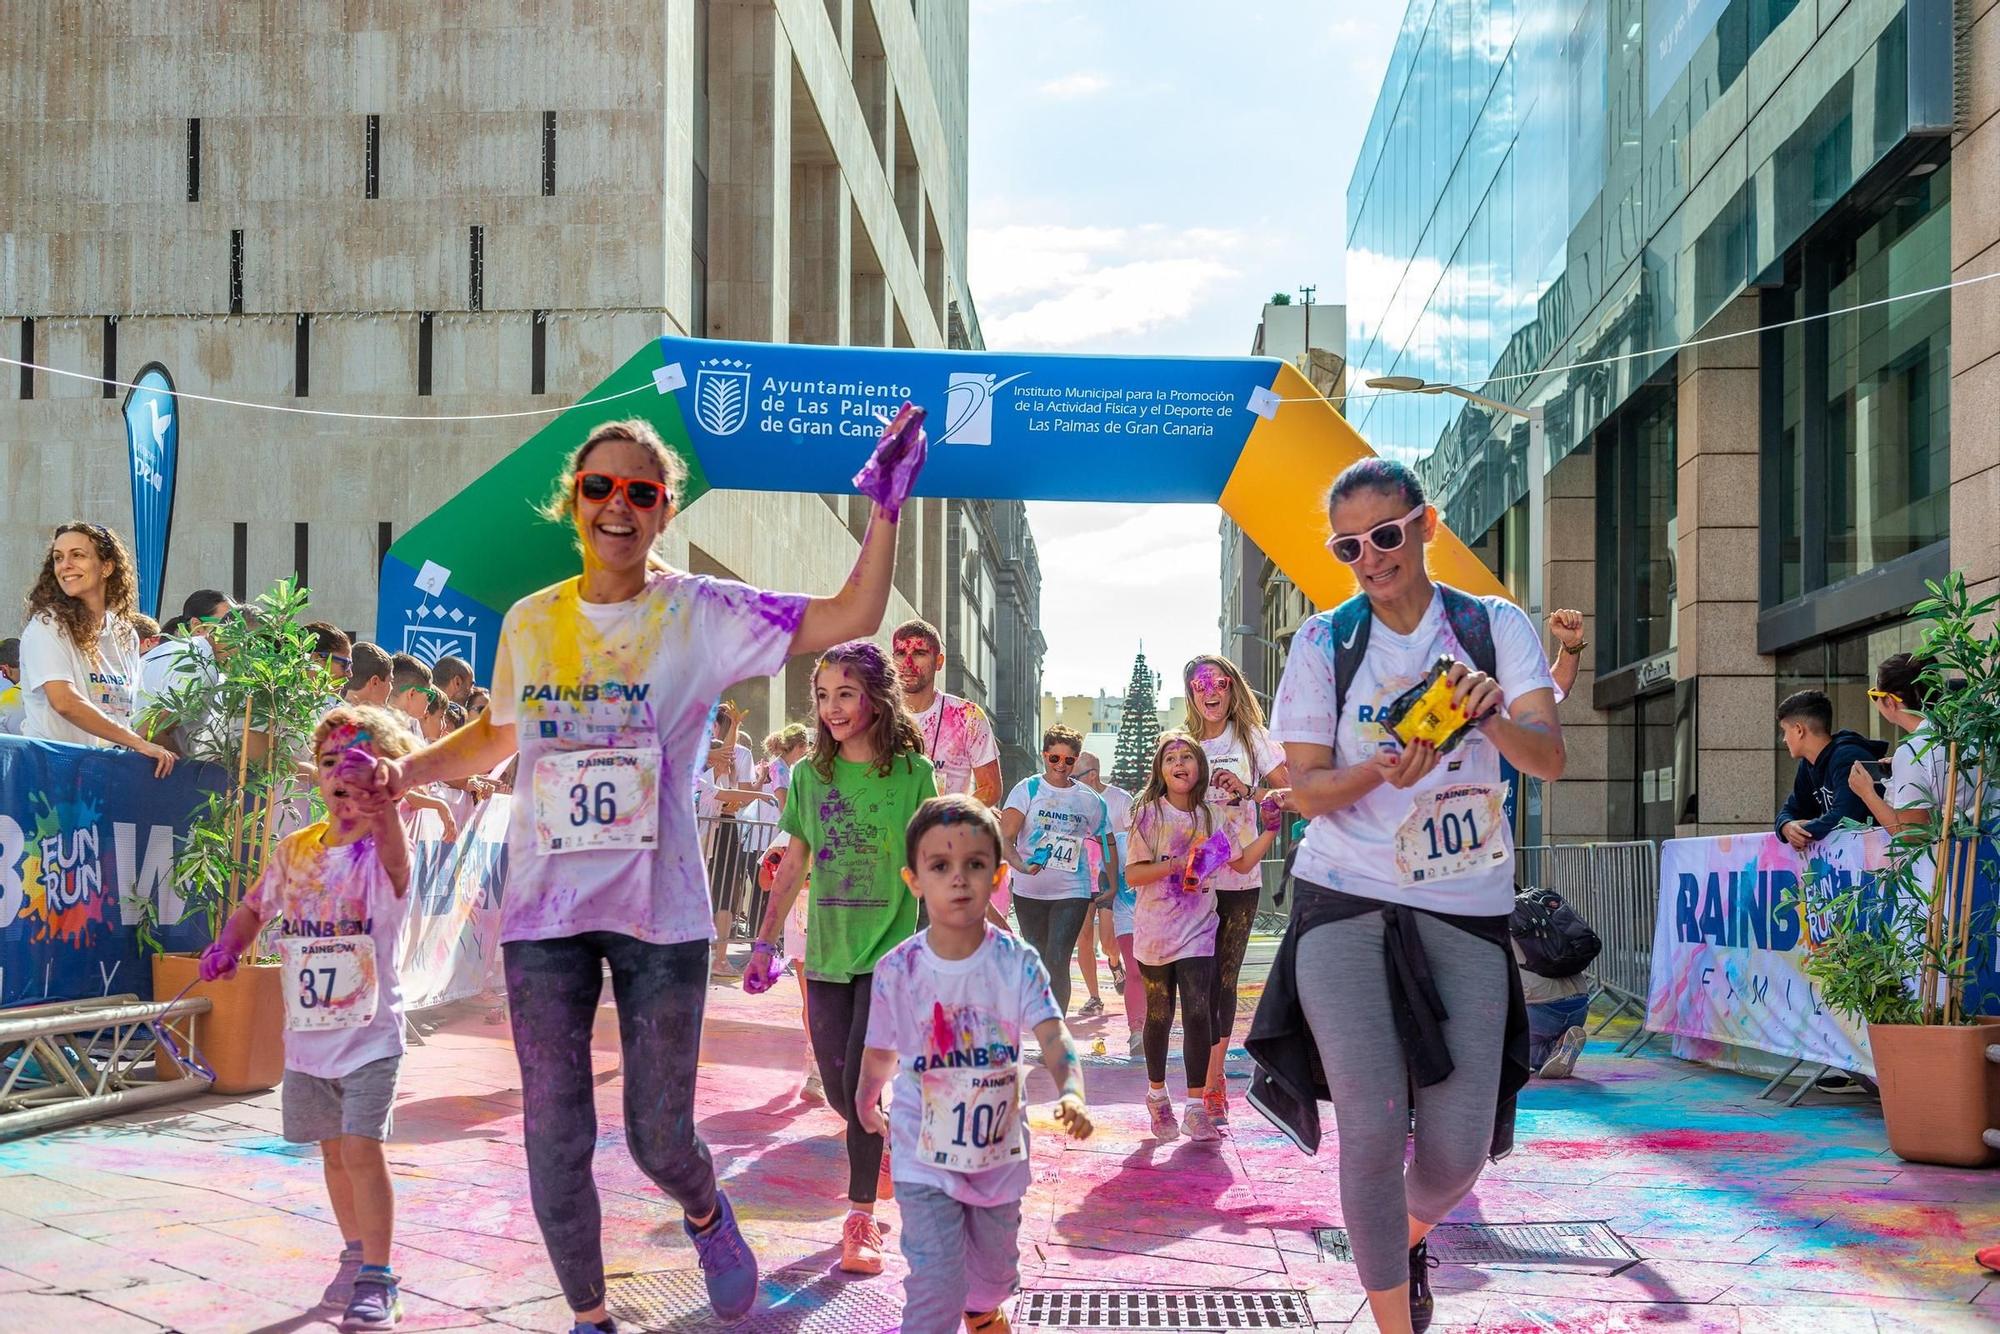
x=1343, y=987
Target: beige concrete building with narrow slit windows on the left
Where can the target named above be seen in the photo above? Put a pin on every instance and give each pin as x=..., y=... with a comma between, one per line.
x=429, y=213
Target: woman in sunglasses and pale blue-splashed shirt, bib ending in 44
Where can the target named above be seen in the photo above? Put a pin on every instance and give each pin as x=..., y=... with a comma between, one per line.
x=1047, y=825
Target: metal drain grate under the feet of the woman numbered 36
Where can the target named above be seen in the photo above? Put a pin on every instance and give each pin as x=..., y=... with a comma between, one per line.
x=789, y=1303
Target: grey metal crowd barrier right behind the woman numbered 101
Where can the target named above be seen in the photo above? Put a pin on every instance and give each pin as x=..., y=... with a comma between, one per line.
x=1617, y=889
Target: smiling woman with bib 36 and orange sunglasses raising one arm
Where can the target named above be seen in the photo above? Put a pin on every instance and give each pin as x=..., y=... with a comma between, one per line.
x=603, y=685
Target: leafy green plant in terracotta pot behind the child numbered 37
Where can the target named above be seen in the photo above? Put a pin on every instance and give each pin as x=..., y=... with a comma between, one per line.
x=249, y=709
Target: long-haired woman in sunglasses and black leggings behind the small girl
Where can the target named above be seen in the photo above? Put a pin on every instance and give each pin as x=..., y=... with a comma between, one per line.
x=1245, y=767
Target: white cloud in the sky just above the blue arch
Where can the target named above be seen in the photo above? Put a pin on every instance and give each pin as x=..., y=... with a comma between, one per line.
x=1061, y=287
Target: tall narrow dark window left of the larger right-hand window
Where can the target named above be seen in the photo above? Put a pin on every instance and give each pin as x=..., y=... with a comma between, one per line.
x=1637, y=527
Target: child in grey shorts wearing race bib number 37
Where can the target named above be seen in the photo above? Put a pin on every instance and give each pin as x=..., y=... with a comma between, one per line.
x=341, y=895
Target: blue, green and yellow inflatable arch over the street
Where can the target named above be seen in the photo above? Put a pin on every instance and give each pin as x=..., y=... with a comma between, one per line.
x=1245, y=433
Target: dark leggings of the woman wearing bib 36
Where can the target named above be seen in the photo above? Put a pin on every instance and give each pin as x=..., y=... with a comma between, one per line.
x=553, y=995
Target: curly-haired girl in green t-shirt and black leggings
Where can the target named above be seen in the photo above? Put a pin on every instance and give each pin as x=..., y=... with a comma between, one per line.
x=849, y=809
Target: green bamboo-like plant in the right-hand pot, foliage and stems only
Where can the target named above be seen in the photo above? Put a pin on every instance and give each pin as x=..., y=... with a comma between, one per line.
x=1905, y=949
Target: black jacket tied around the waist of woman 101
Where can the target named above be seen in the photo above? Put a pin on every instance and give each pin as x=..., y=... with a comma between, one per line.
x=1289, y=1083
